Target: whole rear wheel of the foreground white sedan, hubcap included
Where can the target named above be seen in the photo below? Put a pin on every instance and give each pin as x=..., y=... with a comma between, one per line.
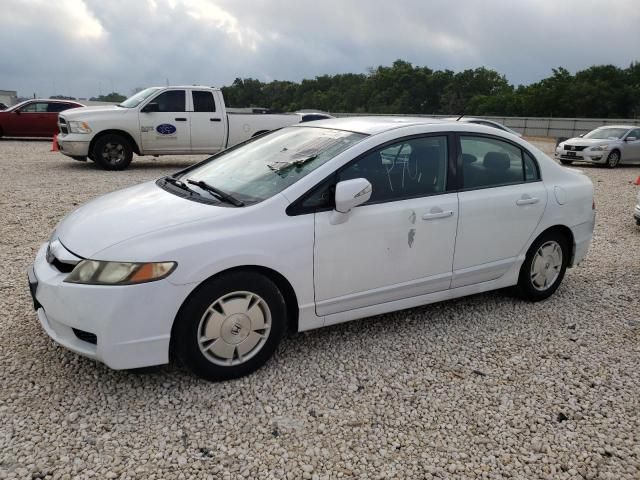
x=544, y=267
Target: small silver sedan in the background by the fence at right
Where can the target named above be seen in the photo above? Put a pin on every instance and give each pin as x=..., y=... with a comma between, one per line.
x=610, y=146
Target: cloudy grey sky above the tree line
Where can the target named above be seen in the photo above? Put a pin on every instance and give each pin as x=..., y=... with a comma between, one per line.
x=86, y=47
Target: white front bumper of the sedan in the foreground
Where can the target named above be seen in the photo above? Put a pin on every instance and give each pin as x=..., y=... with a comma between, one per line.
x=132, y=324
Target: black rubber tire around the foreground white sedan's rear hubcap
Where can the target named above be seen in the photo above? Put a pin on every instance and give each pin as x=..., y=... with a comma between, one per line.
x=527, y=287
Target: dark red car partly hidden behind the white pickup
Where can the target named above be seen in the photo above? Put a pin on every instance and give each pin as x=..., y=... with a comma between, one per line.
x=34, y=118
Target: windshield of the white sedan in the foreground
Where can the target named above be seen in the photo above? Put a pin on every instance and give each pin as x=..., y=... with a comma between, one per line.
x=264, y=167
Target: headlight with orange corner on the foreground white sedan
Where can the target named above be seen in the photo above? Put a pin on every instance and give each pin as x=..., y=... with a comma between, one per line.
x=95, y=272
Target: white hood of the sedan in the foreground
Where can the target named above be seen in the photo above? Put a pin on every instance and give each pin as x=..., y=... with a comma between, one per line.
x=126, y=214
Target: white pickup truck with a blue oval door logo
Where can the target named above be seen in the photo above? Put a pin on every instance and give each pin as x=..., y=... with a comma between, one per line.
x=160, y=121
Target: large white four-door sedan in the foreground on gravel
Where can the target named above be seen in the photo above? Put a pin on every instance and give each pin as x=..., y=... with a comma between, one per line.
x=302, y=228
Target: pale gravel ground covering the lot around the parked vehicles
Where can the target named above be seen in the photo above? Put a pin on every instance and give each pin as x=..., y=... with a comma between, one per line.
x=481, y=387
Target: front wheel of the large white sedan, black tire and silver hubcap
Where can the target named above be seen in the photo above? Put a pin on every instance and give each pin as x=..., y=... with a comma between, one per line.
x=198, y=316
